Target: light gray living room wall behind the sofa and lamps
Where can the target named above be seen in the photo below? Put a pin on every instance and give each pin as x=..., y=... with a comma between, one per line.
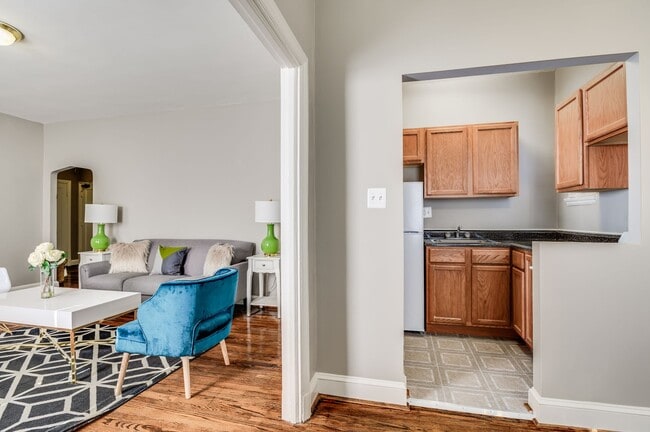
x=185, y=174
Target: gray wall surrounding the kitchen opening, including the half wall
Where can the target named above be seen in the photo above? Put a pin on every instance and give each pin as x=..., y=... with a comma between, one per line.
x=363, y=48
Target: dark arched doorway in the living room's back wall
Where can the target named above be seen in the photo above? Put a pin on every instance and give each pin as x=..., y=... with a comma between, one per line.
x=74, y=189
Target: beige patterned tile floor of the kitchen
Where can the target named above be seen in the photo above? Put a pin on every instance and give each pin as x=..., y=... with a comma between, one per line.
x=485, y=373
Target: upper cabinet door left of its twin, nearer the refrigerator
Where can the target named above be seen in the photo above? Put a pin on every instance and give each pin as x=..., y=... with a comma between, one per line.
x=446, y=163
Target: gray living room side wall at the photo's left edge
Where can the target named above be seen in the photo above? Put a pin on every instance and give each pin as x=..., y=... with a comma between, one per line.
x=21, y=177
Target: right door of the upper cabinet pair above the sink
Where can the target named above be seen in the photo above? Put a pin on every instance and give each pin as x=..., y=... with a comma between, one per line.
x=495, y=159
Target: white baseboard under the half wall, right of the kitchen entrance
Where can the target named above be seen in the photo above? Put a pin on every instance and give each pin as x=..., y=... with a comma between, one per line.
x=588, y=414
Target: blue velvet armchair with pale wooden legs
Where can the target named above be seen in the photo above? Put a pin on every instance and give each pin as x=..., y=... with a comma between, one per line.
x=184, y=318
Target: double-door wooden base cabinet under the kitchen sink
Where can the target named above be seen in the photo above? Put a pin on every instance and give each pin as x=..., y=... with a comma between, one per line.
x=468, y=291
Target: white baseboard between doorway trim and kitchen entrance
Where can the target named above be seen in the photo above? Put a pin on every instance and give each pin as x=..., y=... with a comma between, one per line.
x=391, y=392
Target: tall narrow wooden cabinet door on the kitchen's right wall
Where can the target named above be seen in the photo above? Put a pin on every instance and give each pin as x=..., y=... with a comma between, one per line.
x=568, y=143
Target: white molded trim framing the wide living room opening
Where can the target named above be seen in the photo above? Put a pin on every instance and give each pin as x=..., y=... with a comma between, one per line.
x=267, y=22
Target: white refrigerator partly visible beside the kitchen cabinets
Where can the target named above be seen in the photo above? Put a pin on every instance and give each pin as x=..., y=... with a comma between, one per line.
x=413, y=256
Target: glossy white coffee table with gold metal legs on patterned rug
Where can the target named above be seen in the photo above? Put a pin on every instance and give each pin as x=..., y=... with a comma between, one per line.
x=70, y=309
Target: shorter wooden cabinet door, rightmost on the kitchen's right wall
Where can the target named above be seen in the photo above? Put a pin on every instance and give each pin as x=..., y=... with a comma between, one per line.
x=605, y=105
